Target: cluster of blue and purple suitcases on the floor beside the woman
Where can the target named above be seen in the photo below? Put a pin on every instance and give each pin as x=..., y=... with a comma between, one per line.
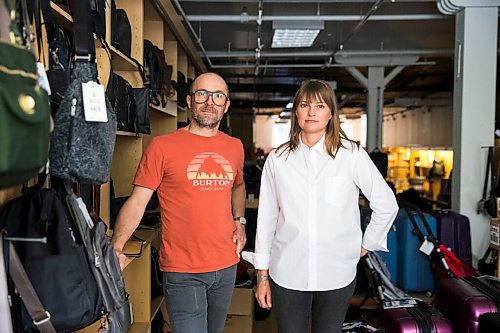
x=464, y=302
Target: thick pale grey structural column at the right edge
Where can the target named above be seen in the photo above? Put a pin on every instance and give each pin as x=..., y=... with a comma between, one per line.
x=473, y=107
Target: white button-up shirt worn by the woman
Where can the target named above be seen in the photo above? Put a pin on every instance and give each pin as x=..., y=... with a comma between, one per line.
x=308, y=226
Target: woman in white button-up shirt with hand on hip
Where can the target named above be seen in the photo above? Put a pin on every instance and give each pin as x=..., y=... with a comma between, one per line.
x=309, y=238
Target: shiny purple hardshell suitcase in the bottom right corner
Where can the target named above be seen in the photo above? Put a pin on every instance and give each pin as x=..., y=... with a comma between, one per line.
x=463, y=303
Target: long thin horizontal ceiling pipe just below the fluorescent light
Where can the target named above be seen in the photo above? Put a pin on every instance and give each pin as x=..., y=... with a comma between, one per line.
x=322, y=54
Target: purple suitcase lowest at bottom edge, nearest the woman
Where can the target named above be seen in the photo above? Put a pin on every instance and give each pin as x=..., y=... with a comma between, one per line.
x=422, y=318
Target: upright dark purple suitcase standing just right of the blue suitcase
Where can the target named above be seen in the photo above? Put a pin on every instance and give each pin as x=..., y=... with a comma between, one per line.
x=453, y=231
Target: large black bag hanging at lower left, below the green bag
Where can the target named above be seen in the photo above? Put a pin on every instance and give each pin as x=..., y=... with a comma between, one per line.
x=57, y=268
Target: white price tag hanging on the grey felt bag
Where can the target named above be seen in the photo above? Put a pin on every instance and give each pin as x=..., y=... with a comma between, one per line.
x=94, y=102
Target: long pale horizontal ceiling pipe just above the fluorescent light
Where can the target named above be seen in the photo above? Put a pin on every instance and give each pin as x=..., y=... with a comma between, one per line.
x=335, y=18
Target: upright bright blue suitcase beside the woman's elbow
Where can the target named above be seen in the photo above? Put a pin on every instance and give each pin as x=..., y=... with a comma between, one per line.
x=414, y=267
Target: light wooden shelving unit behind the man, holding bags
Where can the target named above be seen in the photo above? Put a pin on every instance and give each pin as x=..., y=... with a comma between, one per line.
x=146, y=23
